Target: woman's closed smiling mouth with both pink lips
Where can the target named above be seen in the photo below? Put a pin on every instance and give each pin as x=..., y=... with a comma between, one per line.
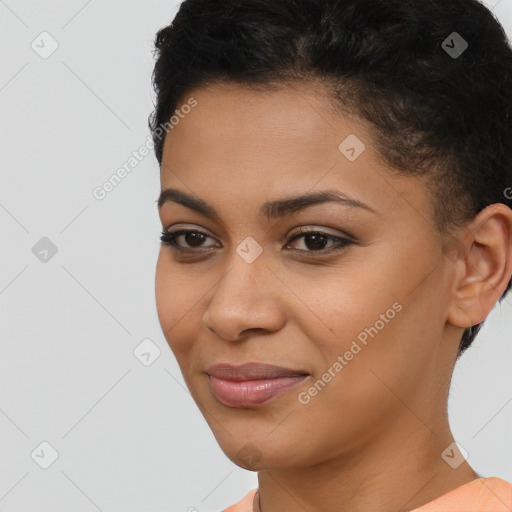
x=252, y=384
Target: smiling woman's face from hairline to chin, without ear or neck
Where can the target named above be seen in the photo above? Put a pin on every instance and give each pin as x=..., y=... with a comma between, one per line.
x=363, y=315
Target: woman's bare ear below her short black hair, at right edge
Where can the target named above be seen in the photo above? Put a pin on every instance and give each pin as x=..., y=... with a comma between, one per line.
x=484, y=266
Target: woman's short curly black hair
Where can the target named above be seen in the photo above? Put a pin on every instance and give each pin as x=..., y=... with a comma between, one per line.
x=433, y=79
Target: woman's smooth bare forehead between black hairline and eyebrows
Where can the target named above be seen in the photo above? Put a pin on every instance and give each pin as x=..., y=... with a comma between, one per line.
x=238, y=144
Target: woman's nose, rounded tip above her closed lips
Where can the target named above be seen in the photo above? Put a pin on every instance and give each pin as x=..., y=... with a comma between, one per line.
x=247, y=298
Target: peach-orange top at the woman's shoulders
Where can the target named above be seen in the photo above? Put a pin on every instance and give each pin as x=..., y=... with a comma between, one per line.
x=491, y=494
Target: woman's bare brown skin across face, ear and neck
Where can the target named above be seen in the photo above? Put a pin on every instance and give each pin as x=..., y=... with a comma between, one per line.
x=373, y=437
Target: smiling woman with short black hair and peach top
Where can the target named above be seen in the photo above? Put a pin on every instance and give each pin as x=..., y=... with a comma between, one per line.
x=336, y=227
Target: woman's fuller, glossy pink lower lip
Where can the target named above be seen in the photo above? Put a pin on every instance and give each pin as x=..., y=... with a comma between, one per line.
x=249, y=393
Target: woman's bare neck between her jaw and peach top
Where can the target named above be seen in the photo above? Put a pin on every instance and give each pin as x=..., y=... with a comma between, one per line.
x=399, y=470
